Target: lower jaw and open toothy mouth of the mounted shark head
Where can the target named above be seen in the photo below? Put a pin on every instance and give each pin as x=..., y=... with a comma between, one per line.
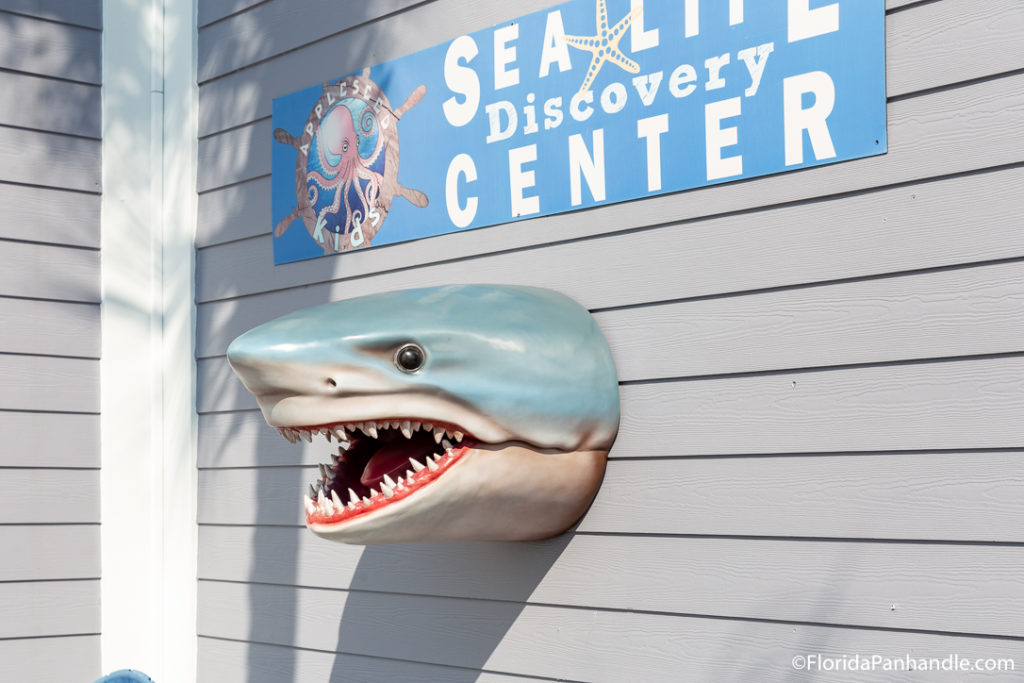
x=404, y=481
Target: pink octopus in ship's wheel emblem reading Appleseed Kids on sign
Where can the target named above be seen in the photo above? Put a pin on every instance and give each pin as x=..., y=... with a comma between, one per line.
x=347, y=172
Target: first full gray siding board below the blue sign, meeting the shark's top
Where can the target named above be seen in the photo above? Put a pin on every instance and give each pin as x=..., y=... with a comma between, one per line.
x=924, y=226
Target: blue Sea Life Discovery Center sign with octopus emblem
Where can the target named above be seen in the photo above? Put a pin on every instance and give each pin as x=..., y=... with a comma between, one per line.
x=589, y=103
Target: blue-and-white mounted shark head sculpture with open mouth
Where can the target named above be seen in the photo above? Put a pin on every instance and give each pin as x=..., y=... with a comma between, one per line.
x=462, y=413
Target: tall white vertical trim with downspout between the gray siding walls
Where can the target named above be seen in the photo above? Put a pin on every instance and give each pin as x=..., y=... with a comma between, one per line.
x=148, y=409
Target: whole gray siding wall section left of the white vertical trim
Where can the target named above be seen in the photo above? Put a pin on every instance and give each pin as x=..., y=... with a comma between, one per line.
x=50, y=340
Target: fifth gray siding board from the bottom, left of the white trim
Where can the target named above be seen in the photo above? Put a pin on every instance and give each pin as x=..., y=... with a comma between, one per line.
x=48, y=440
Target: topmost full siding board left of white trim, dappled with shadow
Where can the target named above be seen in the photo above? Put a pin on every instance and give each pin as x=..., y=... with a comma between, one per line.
x=48, y=49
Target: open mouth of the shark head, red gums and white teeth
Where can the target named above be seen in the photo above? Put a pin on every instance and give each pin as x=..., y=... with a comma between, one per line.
x=377, y=464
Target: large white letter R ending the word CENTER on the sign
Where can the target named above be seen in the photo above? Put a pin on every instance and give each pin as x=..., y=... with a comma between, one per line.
x=814, y=120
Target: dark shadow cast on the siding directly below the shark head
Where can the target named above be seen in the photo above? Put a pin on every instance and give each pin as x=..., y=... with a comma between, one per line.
x=448, y=604
